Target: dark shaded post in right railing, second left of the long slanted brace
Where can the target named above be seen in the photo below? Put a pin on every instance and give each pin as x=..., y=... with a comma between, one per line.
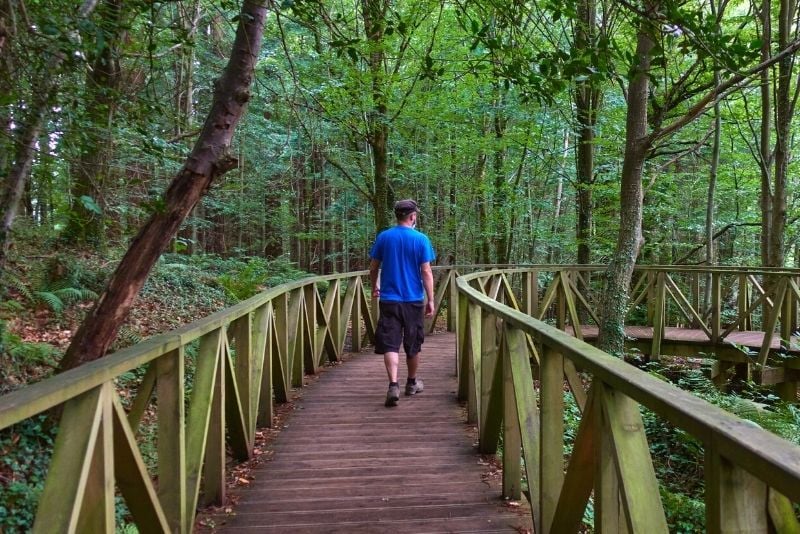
x=491, y=400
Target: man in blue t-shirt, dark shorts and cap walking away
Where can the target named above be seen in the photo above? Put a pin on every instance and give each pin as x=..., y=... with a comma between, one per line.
x=404, y=258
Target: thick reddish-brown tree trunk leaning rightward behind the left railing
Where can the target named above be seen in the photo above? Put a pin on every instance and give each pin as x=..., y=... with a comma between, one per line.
x=208, y=160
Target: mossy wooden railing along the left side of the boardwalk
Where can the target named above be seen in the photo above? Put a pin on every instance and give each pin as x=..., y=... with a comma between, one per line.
x=239, y=361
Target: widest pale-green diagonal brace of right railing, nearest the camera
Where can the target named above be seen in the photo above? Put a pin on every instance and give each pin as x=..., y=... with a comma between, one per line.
x=638, y=484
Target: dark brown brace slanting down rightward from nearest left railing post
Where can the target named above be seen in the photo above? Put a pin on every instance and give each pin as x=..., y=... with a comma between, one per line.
x=133, y=479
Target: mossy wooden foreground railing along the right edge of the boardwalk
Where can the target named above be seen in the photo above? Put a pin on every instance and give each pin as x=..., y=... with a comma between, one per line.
x=751, y=476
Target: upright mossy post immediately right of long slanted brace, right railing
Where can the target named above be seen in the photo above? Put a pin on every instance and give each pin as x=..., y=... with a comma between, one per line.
x=551, y=402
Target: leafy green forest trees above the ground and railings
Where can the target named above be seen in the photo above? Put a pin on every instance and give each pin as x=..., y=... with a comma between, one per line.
x=478, y=109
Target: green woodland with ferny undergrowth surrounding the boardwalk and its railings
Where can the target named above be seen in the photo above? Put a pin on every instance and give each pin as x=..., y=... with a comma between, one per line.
x=545, y=131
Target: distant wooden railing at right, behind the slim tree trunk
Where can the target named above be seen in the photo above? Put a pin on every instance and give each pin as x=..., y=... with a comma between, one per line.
x=745, y=318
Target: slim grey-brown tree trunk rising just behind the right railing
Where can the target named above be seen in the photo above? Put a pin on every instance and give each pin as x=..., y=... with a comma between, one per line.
x=614, y=301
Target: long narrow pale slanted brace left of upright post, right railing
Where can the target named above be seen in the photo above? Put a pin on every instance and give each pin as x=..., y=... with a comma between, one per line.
x=527, y=413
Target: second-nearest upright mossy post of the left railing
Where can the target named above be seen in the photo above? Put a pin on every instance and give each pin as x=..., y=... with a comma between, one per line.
x=171, y=439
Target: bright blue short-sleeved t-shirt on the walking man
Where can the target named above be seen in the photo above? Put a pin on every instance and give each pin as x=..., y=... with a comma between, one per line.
x=401, y=251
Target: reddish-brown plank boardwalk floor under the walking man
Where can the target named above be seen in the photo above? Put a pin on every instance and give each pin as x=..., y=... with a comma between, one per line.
x=345, y=463
